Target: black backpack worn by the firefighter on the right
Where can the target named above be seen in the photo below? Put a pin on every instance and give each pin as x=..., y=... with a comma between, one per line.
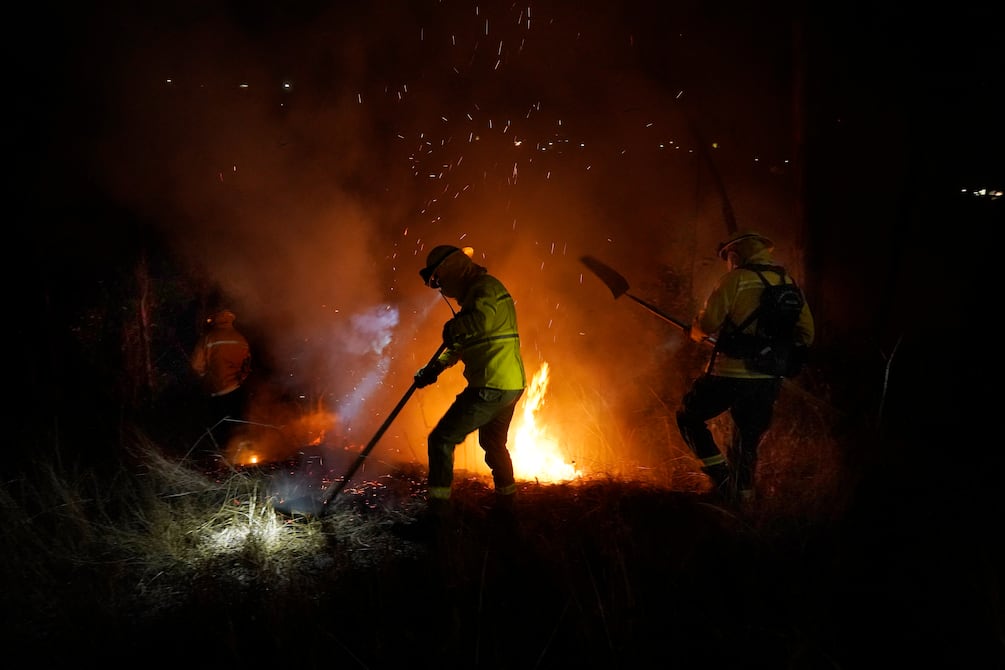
x=772, y=349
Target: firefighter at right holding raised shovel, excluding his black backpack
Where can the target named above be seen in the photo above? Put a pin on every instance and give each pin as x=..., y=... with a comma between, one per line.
x=729, y=384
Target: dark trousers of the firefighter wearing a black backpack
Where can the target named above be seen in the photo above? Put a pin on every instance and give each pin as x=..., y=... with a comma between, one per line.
x=751, y=404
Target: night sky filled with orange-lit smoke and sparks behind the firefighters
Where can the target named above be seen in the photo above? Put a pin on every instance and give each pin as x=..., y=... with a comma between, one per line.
x=305, y=157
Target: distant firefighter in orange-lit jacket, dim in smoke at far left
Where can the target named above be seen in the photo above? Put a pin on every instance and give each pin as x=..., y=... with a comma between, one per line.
x=223, y=360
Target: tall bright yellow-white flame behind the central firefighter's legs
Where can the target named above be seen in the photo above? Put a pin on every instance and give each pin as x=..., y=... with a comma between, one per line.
x=536, y=456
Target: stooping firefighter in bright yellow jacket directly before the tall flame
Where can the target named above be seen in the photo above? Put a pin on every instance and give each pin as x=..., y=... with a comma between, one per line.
x=483, y=336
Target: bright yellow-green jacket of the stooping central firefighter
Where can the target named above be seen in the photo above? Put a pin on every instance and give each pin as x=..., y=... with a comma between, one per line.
x=488, y=337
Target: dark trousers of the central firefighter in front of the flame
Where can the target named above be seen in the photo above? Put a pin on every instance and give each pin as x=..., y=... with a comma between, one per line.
x=489, y=411
